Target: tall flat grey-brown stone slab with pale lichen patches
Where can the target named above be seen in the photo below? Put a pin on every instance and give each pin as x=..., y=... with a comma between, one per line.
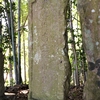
x=48, y=63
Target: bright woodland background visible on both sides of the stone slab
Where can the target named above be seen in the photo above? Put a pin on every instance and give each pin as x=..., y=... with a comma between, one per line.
x=14, y=45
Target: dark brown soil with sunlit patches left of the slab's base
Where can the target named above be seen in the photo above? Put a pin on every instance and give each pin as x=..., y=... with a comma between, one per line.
x=17, y=92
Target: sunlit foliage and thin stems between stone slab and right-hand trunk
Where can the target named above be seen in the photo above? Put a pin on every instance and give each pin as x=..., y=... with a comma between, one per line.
x=75, y=44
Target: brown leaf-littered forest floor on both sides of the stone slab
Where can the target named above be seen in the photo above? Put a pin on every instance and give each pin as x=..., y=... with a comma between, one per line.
x=20, y=92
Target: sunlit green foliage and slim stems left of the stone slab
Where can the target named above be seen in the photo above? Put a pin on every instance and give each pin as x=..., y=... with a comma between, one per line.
x=9, y=39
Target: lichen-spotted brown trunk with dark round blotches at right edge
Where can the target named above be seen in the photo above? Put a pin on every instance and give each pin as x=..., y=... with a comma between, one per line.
x=90, y=17
